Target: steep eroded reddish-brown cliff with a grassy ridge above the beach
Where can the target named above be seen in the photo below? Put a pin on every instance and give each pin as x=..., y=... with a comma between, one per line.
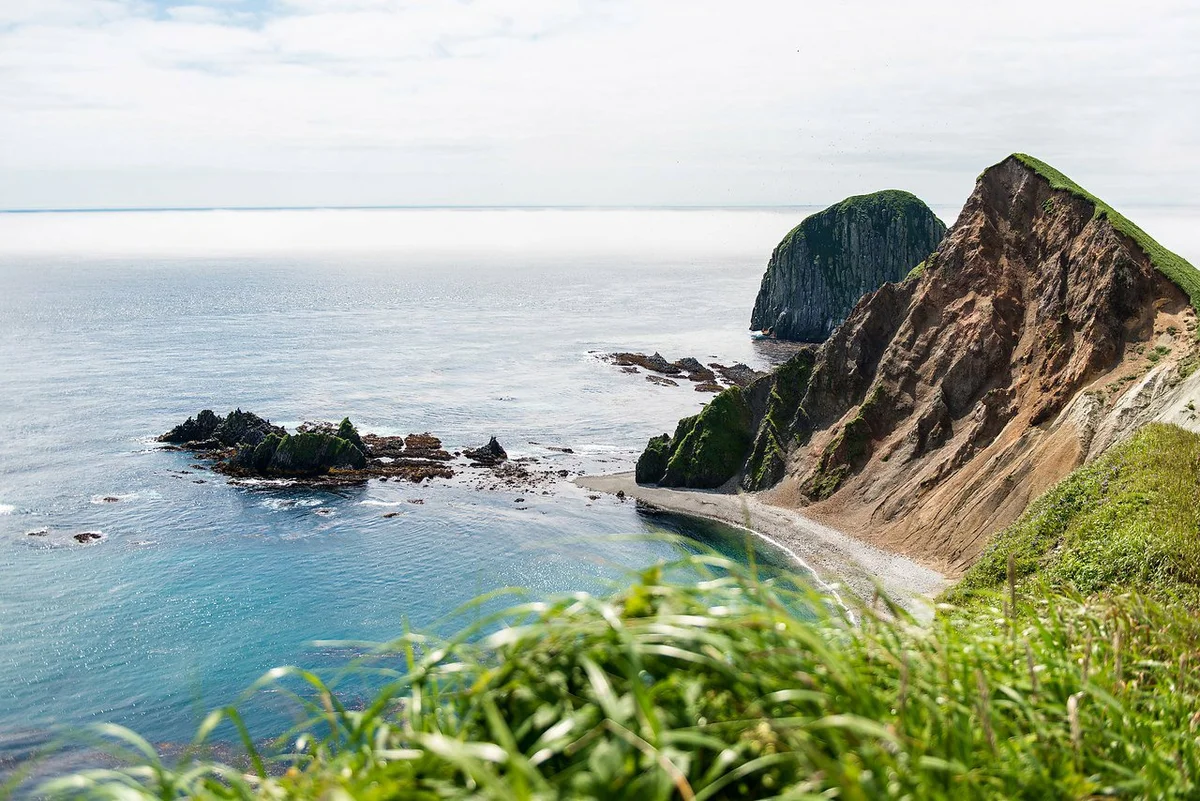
x=945, y=403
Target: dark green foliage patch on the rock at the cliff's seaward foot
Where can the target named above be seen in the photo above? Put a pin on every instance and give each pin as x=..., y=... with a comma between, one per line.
x=711, y=448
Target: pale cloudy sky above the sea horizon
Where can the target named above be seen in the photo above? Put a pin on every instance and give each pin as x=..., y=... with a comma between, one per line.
x=139, y=104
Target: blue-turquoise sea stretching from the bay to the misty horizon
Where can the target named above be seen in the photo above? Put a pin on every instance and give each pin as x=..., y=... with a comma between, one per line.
x=467, y=323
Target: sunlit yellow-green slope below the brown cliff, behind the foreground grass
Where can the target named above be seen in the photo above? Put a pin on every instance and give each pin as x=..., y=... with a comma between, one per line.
x=1127, y=521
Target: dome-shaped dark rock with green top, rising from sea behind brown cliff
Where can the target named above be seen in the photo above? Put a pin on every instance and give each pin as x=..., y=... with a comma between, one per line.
x=835, y=257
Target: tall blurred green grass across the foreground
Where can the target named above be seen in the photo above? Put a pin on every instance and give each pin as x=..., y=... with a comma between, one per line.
x=734, y=689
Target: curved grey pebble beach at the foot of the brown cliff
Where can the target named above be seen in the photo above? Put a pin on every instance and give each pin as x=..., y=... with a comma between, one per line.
x=838, y=561
